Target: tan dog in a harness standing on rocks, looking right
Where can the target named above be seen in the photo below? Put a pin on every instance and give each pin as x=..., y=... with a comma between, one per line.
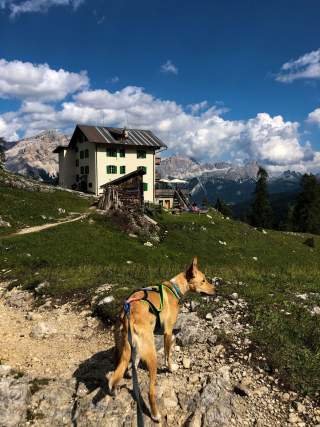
x=142, y=324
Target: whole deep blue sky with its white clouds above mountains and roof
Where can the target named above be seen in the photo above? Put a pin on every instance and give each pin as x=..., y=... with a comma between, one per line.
x=208, y=76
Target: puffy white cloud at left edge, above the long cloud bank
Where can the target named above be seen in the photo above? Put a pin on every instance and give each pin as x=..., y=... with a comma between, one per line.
x=39, y=82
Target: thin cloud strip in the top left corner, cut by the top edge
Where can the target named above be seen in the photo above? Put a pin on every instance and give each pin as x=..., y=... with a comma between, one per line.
x=17, y=7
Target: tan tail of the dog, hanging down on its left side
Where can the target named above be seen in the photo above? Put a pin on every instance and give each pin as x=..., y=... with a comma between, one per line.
x=125, y=353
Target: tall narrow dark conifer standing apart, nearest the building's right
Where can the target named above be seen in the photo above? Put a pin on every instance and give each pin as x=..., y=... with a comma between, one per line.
x=261, y=210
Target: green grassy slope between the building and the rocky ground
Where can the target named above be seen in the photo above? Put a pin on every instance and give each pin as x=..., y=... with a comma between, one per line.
x=268, y=270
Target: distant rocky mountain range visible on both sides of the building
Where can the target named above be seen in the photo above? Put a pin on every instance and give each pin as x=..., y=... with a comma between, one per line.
x=206, y=180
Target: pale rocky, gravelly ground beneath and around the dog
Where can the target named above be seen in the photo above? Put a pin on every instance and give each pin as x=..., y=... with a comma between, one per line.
x=54, y=360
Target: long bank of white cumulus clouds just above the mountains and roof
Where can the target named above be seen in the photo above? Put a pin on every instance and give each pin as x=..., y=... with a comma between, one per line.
x=198, y=130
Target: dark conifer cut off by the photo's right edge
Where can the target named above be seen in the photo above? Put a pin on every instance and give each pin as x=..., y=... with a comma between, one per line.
x=306, y=214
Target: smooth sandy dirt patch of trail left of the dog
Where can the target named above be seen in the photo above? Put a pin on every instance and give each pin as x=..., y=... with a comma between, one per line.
x=71, y=338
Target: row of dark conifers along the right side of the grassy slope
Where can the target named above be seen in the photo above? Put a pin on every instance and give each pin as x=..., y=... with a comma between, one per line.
x=302, y=216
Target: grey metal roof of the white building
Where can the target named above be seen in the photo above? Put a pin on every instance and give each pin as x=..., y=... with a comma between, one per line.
x=108, y=135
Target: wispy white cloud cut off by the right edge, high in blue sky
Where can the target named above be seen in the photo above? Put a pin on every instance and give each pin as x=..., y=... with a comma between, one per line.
x=305, y=67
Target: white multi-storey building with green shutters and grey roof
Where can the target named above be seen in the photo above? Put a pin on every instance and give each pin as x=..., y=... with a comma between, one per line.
x=97, y=155
